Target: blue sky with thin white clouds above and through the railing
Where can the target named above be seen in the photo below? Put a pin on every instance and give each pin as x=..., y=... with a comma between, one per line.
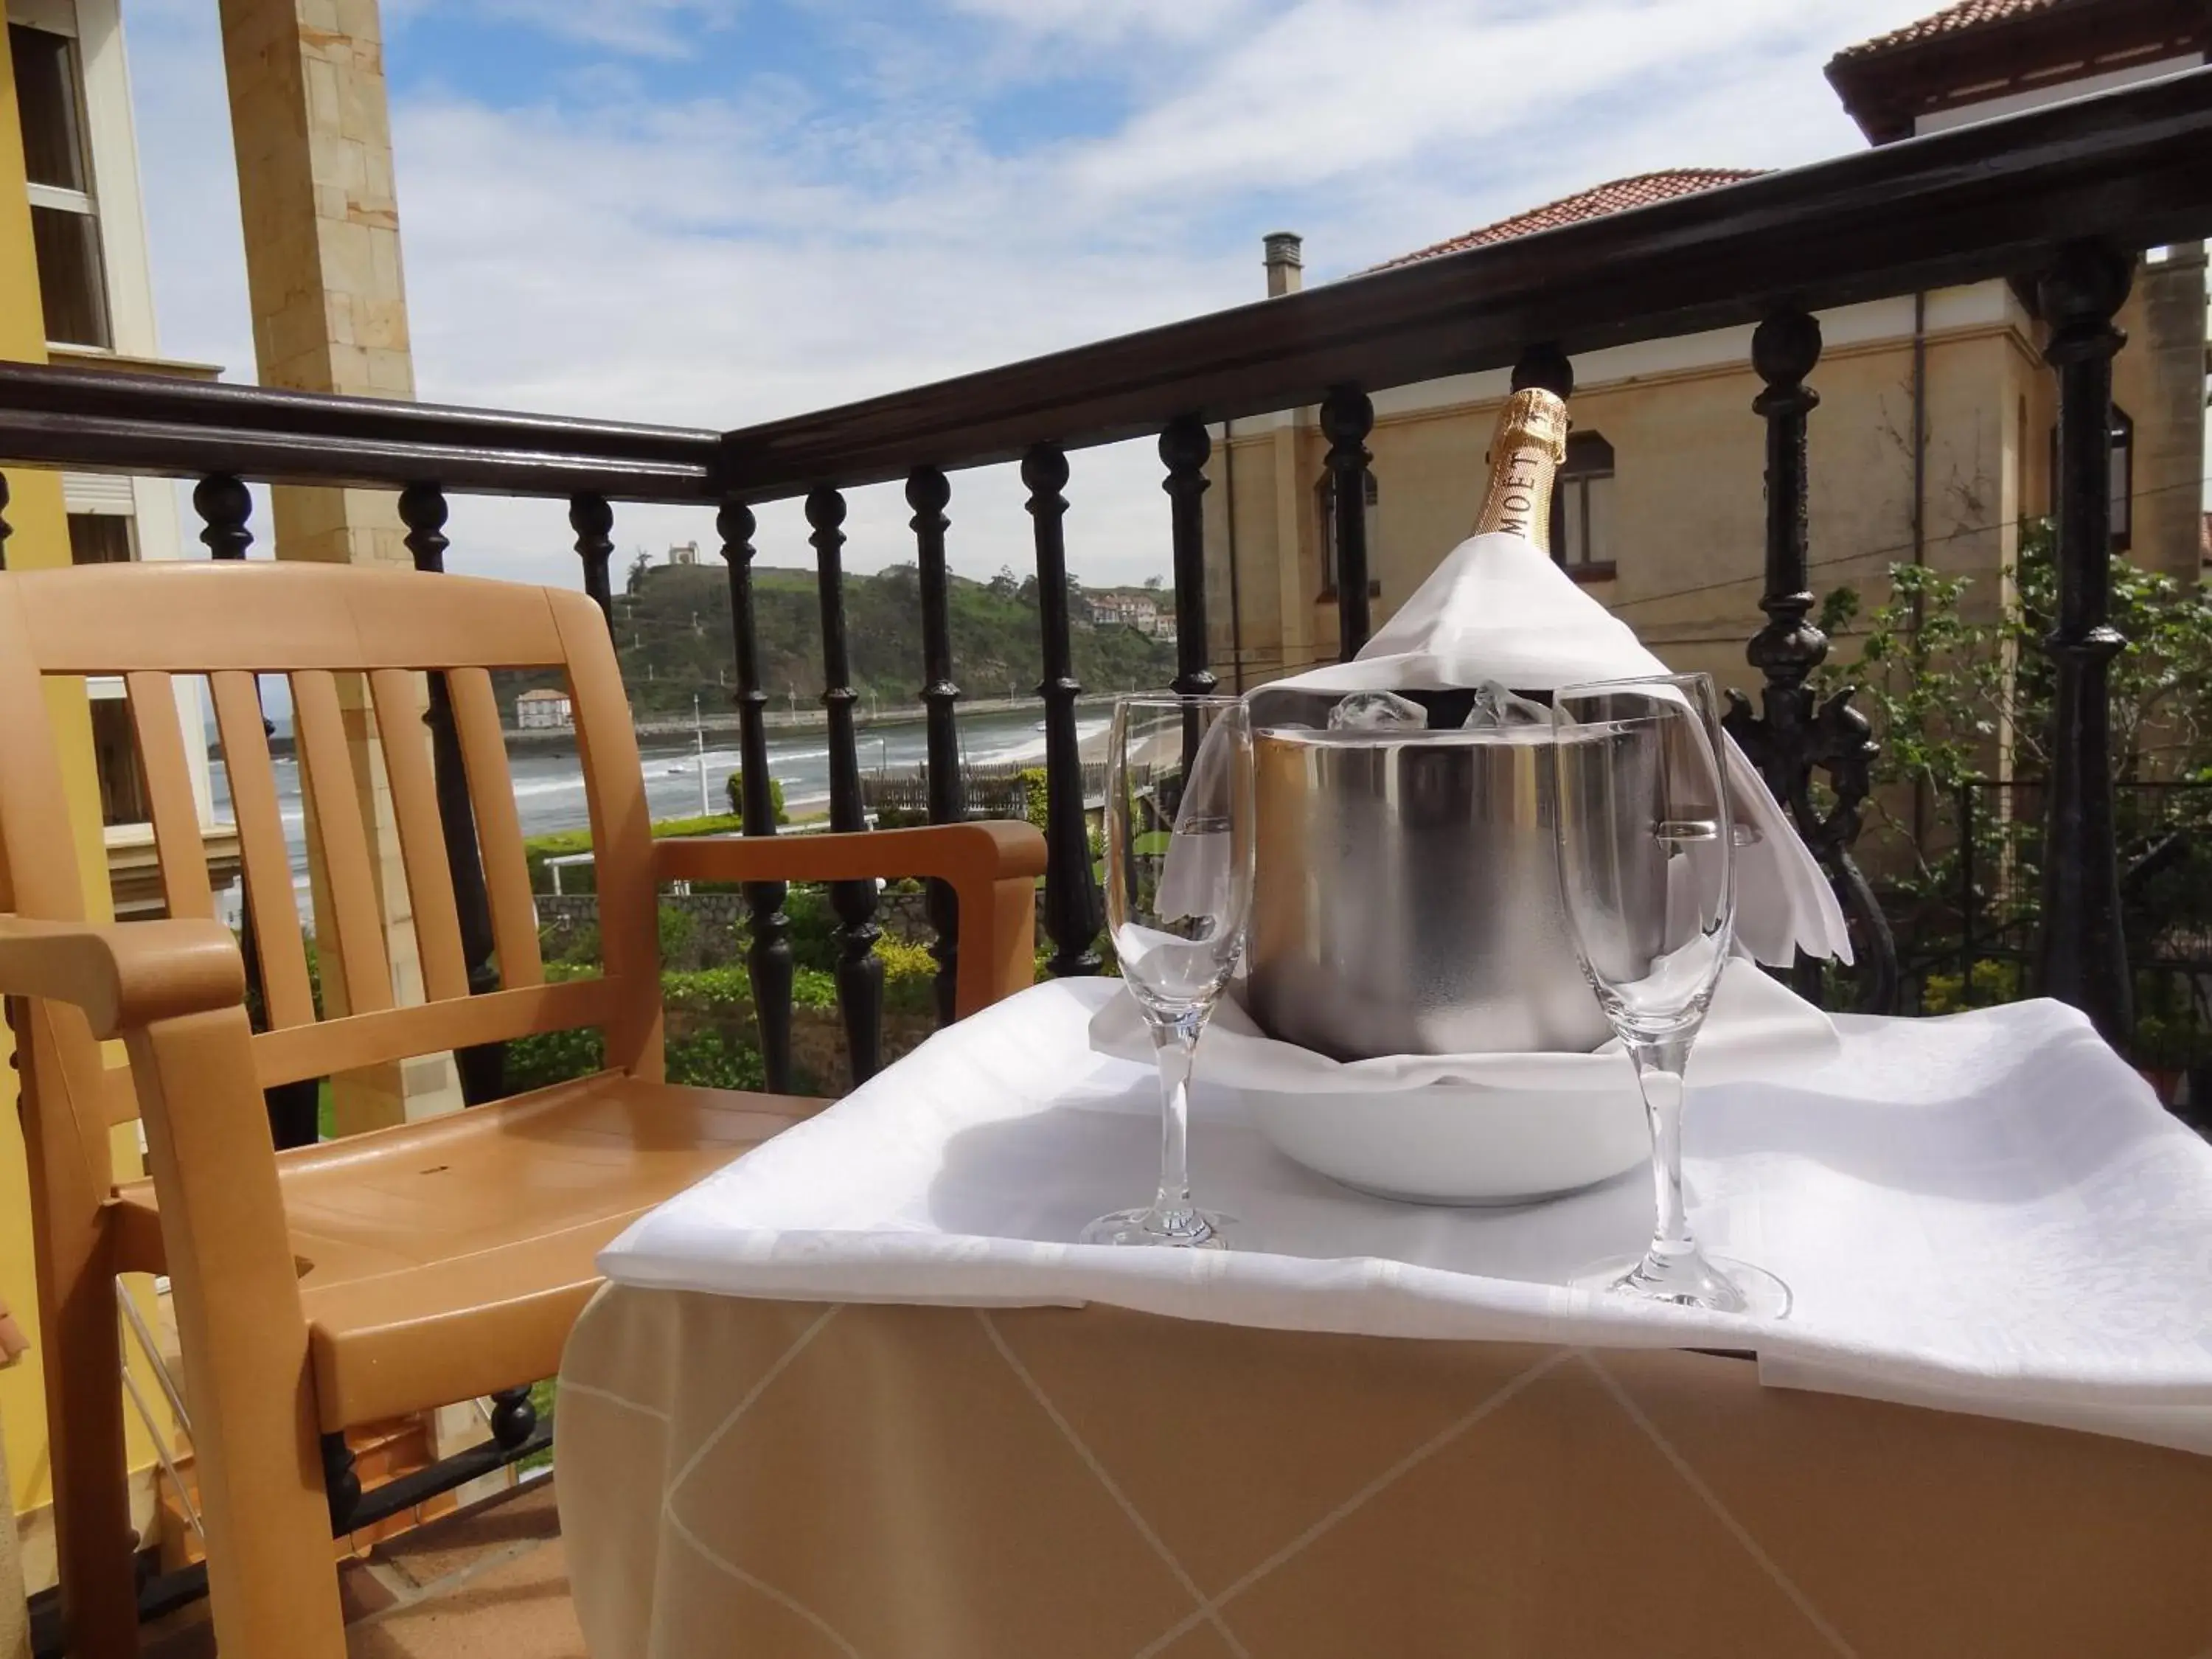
x=727, y=211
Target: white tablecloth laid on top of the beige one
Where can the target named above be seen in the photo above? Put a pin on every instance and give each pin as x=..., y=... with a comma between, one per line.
x=1985, y=1213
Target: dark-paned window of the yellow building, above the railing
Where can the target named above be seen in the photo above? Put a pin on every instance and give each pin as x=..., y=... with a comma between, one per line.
x=65, y=209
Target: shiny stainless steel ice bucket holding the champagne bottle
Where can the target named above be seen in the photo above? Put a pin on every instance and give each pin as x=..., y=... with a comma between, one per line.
x=1408, y=897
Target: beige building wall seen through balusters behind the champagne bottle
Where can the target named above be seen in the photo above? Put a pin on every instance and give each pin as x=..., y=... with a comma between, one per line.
x=1691, y=488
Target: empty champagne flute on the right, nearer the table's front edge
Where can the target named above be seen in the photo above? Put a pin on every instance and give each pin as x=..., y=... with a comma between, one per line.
x=1647, y=879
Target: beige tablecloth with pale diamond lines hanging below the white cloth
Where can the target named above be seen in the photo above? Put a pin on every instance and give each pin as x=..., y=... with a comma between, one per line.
x=791, y=1481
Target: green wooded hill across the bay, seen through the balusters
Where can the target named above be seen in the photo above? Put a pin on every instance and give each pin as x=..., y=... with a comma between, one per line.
x=674, y=636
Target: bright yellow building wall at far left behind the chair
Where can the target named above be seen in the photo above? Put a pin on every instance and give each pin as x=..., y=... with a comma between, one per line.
x=41, y=541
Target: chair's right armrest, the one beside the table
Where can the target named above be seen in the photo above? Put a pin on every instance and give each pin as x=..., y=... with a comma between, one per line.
x=990, y=866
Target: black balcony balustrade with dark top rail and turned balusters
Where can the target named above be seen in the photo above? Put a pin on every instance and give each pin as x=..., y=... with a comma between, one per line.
x=2058, y=200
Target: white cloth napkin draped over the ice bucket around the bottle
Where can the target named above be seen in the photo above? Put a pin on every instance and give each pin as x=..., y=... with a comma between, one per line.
x=1499, y=609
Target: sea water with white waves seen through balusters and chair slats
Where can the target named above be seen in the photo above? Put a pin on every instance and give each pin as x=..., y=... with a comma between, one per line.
x=550, y=789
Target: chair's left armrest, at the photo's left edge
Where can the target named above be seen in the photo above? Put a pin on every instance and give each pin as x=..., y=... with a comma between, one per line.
x=123, y=974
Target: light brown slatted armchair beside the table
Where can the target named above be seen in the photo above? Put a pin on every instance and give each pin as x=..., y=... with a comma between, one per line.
x=404, y=1269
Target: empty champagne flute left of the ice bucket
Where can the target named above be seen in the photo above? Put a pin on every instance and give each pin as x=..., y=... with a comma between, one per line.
x=1178, y=895
